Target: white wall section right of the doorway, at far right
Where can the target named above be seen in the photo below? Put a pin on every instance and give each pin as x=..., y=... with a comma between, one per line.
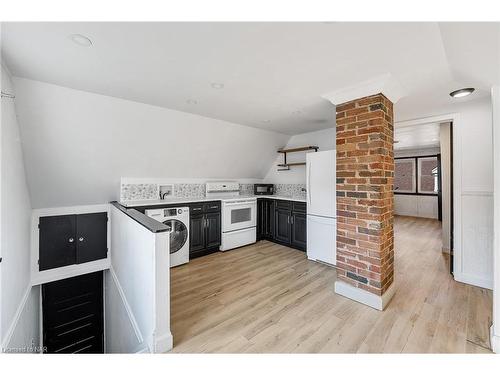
x=473, y=155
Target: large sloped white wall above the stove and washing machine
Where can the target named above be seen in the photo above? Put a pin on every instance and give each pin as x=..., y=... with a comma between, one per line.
x=77, y=144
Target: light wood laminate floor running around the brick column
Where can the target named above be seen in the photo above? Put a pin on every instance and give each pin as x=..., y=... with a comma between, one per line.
x=267, y=298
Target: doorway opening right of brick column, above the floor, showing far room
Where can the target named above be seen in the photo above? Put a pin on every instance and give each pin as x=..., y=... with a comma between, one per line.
x=423, y=179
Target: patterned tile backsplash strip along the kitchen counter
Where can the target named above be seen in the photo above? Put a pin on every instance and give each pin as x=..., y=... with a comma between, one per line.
x=135, y=192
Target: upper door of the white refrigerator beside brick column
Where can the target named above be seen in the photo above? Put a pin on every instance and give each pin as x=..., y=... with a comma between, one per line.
x=320, y=177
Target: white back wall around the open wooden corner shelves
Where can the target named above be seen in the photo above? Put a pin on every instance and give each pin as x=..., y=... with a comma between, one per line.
x=325, y=139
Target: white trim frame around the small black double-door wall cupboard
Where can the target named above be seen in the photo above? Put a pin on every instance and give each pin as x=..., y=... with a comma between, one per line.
x=40, y=277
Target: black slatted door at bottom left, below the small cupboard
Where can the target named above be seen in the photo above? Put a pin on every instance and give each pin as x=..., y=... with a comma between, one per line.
x=73, y=314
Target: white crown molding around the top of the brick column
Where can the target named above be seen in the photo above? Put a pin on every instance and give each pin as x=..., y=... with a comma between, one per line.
x=385, y=84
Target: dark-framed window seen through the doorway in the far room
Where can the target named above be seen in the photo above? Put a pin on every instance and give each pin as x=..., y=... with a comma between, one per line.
x=417, y=175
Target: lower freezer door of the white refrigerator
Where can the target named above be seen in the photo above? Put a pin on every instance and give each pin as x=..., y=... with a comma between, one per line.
x=321, y=239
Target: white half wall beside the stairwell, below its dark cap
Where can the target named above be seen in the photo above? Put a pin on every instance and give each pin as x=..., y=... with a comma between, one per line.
x=137, y=289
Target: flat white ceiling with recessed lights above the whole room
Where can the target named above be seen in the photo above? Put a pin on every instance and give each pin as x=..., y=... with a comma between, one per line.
x=273, y=73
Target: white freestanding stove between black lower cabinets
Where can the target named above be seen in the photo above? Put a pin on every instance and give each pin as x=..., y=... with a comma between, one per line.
x=239, y=214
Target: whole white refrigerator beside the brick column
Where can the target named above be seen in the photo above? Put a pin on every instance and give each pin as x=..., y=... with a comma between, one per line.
x=321, y=206
